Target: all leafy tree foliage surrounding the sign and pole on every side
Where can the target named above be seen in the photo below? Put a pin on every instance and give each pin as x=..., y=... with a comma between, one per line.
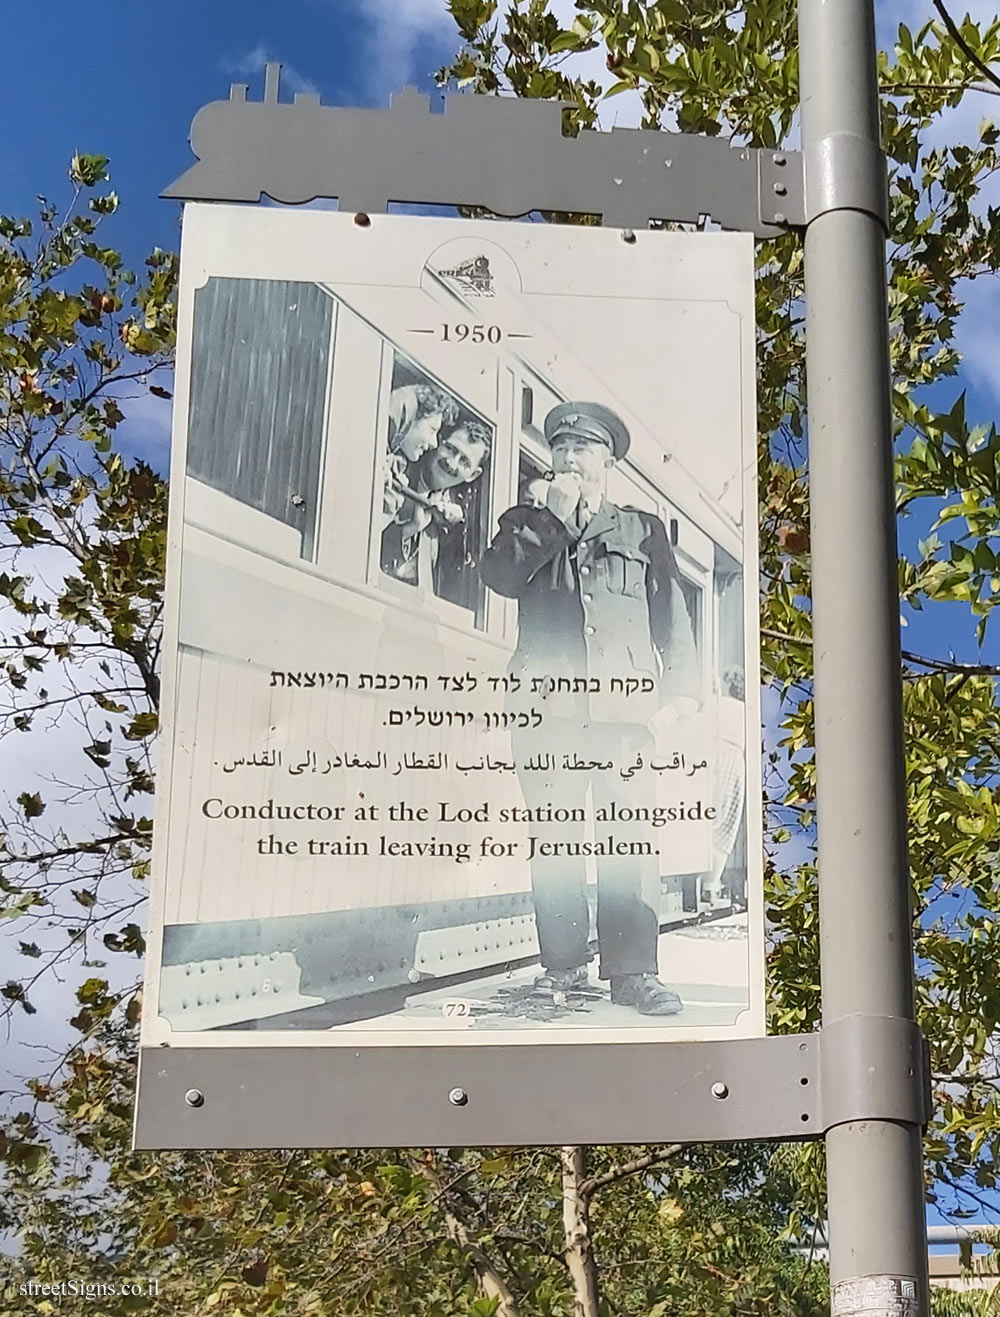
x=482, y=1232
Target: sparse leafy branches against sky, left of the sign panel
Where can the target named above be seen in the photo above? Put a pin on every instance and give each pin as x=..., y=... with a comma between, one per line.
x=82, y=581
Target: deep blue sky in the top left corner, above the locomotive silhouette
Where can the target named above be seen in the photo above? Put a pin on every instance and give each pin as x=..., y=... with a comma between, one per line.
x=125, y=81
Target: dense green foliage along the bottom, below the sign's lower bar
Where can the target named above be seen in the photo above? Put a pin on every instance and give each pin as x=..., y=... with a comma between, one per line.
x=374, y=1232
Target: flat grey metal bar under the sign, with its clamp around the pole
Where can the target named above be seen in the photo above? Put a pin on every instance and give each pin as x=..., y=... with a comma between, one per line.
x=787, y=1087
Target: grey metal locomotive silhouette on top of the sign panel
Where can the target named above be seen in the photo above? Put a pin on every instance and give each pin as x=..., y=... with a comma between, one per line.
x=505, y=155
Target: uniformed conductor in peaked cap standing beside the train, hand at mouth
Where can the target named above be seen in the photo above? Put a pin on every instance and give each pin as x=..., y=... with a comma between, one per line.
x=599, y=597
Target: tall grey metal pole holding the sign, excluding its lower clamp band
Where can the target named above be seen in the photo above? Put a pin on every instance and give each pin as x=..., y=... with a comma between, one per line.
x=875, y=1171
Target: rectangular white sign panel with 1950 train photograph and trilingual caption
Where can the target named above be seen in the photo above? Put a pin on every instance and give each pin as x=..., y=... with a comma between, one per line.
x=462, y=683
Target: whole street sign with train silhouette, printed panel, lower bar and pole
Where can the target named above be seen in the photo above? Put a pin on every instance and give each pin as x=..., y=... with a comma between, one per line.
x=509, y=556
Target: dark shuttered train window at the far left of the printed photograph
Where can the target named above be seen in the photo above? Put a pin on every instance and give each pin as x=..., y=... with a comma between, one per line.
x=259, y=393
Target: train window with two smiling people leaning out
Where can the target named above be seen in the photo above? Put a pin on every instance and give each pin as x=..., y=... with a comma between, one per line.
x=435, y=506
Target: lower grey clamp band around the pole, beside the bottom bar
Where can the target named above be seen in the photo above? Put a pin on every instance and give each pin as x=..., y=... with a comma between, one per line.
x=874, y=1069
